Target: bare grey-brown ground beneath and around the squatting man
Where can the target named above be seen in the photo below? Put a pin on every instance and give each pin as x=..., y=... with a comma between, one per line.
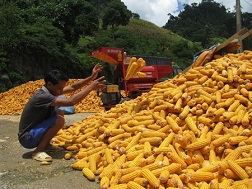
x=19, y=170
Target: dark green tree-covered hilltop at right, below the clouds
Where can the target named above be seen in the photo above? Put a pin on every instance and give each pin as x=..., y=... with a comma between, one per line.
x=202, y=22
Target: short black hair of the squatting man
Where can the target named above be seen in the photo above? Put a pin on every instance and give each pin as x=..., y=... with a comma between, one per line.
x=55, y=76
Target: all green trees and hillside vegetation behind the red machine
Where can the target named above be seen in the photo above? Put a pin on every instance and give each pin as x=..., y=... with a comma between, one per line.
x=40, y=35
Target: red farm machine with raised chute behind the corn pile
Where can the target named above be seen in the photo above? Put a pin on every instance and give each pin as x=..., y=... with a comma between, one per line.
x=156, y=68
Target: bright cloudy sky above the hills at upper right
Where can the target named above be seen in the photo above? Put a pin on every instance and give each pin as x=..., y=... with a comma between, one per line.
x=156, y=11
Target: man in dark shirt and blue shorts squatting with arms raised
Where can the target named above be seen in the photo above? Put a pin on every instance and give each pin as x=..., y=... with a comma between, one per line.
x=41, y=120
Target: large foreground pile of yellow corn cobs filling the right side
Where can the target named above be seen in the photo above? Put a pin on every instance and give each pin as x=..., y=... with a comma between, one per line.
x=192, y=131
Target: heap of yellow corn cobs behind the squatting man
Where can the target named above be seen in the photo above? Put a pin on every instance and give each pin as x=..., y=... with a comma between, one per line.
x=14, y=100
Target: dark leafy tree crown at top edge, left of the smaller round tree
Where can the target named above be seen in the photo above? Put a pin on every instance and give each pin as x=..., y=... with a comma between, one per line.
x=74, y=17
